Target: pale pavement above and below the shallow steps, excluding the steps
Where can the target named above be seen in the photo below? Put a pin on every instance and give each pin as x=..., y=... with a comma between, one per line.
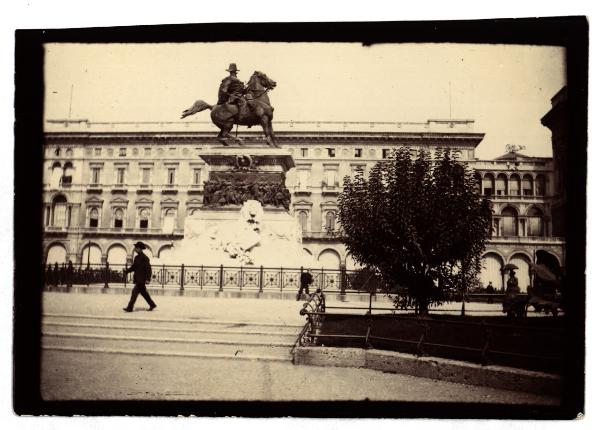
x=69, y=375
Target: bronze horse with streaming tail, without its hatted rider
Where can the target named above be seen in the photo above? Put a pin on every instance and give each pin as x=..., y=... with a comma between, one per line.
x=257, y=110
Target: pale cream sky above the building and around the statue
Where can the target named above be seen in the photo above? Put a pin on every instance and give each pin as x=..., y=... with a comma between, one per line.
x=505, y=89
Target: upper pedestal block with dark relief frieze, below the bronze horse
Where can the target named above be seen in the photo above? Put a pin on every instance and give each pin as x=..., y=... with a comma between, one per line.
x=241, y=174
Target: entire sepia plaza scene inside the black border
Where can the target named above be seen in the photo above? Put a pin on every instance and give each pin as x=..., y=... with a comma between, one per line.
x=305, y=222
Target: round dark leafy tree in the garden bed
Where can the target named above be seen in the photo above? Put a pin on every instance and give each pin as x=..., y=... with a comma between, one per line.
x=419, y=224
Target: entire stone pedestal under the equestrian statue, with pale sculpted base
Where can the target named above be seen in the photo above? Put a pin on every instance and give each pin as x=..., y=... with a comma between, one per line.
x=244, y=219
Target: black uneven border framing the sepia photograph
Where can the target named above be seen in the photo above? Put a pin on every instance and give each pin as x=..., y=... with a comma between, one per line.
x=569, y=32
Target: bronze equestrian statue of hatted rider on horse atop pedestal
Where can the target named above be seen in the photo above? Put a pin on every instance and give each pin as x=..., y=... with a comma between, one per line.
x=241, y=105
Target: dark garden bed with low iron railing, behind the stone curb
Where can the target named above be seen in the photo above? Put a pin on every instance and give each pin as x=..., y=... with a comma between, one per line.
x=508, y=344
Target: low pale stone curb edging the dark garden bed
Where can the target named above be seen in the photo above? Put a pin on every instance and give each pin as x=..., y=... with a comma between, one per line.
x=506, y=378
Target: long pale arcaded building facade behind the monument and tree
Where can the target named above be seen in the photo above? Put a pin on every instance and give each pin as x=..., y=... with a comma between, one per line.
x=108, y=185
